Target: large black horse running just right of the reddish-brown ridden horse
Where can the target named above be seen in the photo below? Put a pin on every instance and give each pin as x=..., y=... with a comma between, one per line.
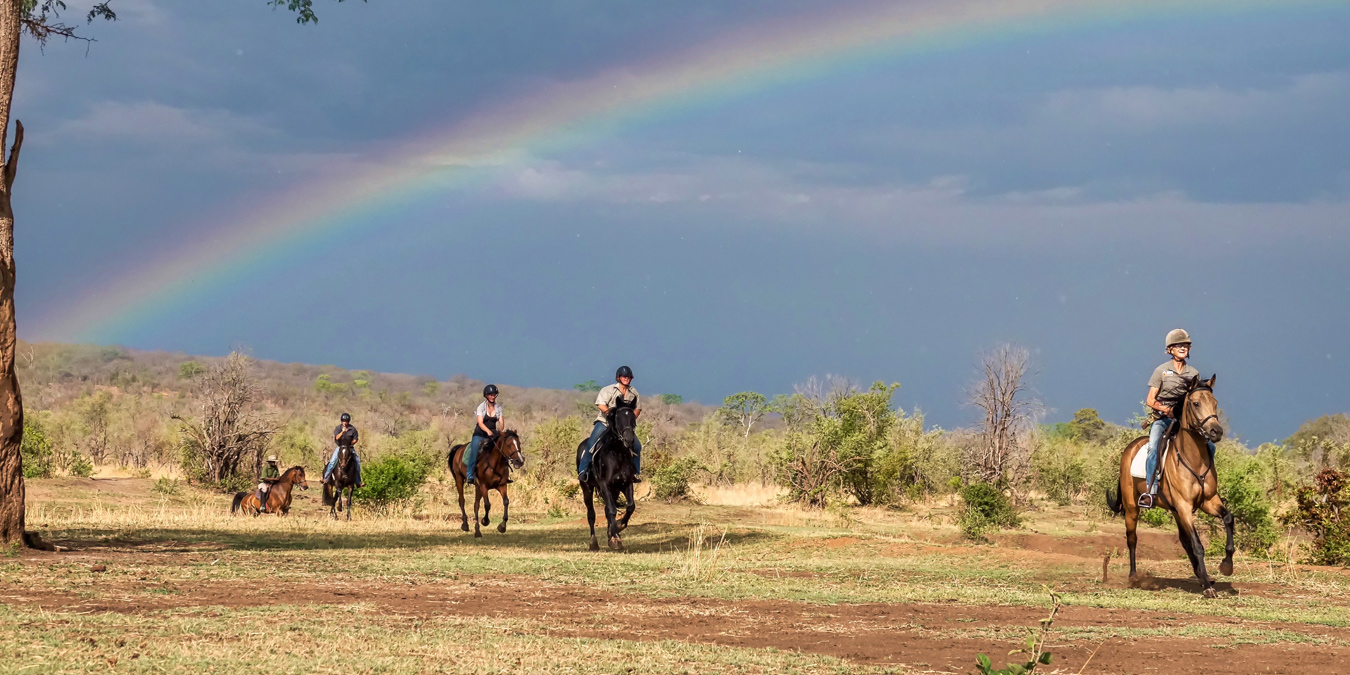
x=612, y=475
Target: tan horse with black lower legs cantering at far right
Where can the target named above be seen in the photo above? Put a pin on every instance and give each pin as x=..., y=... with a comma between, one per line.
x=1189, y=483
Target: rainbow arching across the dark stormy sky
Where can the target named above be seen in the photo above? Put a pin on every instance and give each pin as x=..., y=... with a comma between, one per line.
x=793, y=49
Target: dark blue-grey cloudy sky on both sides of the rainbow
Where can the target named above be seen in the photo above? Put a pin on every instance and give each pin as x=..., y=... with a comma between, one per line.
x=1079, y=194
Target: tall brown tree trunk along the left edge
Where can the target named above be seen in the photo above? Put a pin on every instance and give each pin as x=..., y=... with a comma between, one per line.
x=11, y=404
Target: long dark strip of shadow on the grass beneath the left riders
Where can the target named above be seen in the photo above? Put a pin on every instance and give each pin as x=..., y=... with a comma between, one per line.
x=638, y=539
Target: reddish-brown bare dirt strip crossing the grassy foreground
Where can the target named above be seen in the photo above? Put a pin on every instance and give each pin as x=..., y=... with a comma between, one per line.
x=877, y=634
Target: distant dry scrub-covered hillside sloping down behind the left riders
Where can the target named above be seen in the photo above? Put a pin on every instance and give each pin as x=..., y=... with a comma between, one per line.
x=115, y=406
